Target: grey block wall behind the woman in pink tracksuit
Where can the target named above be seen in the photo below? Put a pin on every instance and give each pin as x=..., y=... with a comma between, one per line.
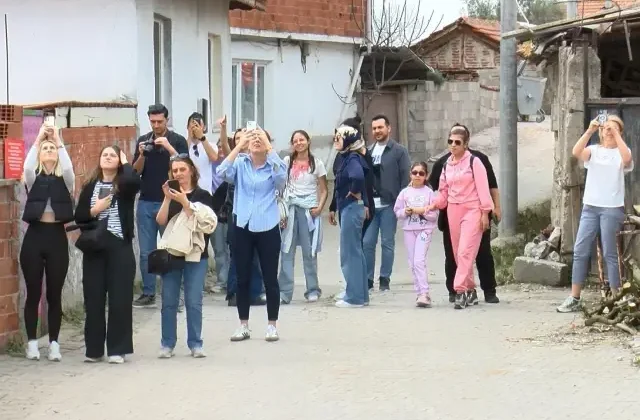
x=433, y=110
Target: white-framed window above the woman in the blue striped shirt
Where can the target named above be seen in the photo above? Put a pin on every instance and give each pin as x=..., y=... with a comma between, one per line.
x=248, y=93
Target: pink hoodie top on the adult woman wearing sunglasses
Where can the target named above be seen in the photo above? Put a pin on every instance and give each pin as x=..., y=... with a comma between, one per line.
x=459, y=184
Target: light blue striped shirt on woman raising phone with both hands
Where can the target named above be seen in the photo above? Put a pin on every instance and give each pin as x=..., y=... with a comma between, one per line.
x=254, y=201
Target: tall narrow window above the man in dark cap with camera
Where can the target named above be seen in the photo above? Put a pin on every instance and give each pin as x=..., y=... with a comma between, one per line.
x=162, y=60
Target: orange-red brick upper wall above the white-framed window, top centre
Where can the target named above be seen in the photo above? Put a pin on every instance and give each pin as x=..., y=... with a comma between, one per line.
x=335, y=17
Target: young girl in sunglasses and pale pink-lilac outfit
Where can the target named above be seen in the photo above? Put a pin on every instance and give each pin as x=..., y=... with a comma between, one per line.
x=417, y=223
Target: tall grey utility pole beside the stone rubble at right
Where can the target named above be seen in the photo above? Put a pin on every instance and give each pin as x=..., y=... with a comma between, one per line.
x=508, y=121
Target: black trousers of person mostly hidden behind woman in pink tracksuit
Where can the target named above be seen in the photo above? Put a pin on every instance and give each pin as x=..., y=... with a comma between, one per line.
x=484, y=262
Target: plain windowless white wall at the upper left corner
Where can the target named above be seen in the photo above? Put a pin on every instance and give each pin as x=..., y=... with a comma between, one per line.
x=63, y=50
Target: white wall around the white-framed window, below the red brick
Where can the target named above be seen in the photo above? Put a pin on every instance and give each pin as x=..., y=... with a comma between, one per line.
x=295, y=99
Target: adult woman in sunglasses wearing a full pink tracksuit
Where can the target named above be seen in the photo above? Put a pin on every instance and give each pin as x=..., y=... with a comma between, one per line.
x=464, y=191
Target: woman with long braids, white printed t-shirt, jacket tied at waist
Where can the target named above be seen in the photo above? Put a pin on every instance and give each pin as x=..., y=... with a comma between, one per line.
x=305, y=195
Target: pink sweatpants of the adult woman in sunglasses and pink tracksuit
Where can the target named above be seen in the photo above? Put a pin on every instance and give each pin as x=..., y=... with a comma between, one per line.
x=466, y=233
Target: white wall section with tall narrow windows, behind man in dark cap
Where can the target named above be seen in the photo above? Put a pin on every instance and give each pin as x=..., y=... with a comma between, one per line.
x=192, y=21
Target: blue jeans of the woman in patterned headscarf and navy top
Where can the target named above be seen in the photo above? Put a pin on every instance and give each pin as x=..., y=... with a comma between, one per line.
x=352, y=262
